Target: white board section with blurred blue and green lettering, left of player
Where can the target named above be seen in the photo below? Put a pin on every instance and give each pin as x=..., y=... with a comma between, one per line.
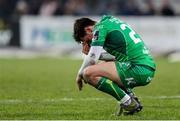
x=46, y=32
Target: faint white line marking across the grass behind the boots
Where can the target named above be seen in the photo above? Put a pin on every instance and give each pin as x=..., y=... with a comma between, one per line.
x=18, y=101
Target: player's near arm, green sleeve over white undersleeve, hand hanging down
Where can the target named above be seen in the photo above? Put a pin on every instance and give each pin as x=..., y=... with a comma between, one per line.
x=99, y=35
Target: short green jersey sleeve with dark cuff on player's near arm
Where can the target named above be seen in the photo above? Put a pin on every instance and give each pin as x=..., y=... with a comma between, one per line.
x=99, y=35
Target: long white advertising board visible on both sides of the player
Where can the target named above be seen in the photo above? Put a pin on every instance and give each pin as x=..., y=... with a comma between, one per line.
x=159, y=33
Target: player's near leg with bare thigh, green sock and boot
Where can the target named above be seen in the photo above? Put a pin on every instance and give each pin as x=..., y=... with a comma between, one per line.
x=105, y=77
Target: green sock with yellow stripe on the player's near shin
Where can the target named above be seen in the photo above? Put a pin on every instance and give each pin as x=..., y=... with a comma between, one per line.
x=111, y=88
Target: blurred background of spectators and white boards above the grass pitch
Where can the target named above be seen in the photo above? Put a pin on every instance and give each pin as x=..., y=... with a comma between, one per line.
x=44, y=27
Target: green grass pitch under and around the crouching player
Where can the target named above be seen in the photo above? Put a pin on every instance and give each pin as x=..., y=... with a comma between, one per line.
x=45, y=88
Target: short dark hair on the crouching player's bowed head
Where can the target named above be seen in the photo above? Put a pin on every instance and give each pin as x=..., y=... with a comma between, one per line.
x=79, y=26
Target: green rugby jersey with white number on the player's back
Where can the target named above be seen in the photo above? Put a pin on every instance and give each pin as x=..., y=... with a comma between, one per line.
x=120, y=40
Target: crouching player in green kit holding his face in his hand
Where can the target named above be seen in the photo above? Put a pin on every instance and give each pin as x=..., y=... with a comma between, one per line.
x=133, y=65
